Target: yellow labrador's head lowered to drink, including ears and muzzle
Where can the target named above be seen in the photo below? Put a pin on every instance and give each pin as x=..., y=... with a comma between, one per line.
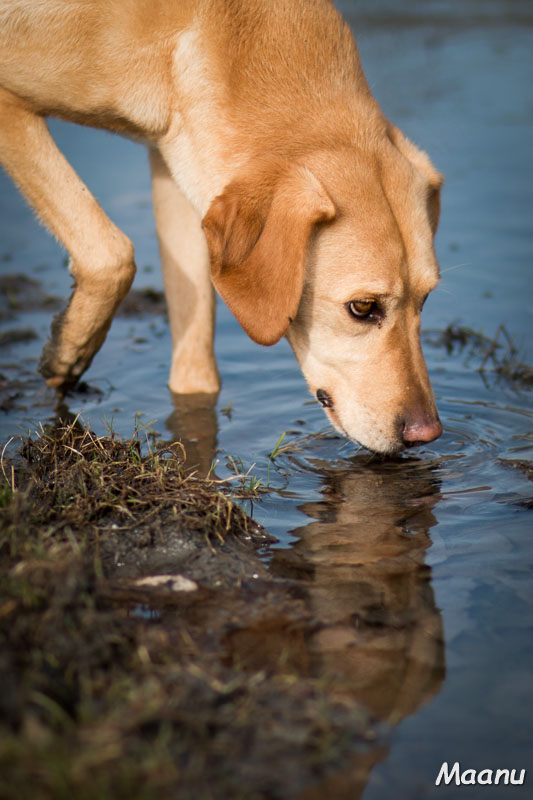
x=336, y=252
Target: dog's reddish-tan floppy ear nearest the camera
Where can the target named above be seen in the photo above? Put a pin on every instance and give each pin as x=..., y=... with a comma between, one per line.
x=257, y=236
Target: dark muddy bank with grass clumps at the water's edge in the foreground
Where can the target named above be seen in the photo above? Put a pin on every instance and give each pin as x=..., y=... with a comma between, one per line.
x=146, y=649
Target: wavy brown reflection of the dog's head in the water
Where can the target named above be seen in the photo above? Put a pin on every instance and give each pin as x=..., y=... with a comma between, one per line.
x=362, y=561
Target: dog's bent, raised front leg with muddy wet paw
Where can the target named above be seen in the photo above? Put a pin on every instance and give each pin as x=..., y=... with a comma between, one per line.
x=101, y=255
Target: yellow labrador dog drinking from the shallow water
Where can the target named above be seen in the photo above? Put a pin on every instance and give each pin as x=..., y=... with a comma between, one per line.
x=275, y=177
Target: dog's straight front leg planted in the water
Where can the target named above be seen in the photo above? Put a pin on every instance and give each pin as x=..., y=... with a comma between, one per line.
x=188, y=288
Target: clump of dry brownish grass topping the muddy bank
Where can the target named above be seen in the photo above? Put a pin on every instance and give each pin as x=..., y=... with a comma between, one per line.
x=76, y=481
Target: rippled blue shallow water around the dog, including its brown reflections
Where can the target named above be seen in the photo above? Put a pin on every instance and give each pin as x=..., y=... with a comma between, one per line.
x=422, y=567
